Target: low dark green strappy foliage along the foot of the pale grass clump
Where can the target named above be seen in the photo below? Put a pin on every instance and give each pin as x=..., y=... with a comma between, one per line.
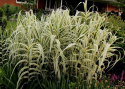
x=71, y=83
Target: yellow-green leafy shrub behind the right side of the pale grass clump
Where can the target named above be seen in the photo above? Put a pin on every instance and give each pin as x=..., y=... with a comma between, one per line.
x=117, y=26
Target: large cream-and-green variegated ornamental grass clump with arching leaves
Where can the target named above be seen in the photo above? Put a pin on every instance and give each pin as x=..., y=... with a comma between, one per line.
x=61, y=44
